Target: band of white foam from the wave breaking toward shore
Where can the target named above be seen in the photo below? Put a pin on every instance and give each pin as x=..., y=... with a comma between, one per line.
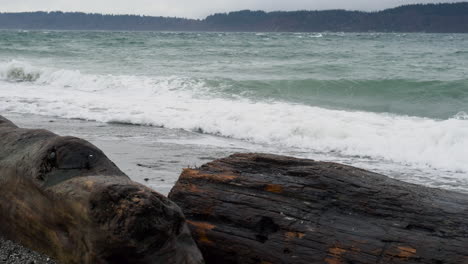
x=175, y=102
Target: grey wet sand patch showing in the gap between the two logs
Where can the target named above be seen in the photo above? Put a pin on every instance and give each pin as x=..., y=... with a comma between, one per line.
x=149, y=155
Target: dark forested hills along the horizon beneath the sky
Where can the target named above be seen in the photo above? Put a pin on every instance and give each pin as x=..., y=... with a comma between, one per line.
x=409, y=18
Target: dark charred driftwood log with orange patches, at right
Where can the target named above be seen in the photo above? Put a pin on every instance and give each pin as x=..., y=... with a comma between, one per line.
x=258, y=208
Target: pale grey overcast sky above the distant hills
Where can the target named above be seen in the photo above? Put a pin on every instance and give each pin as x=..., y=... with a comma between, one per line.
x=196, y=8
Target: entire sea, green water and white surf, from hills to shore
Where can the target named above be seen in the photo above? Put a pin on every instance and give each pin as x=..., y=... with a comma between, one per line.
x=393, y=103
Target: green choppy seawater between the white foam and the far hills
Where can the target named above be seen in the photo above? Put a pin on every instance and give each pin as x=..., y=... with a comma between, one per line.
x=424, y=75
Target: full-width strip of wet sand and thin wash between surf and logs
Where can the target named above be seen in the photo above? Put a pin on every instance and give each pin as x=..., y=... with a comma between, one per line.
x=155, y=156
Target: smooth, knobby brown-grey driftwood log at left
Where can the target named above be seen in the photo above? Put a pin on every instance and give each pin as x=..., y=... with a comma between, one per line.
x=63, y=197
